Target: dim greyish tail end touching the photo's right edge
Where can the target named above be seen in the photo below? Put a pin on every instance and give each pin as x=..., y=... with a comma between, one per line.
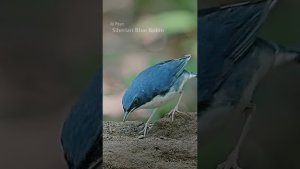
x=284, y=55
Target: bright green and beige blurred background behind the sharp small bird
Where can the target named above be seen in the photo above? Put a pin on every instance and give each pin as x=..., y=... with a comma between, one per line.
x=126, y=54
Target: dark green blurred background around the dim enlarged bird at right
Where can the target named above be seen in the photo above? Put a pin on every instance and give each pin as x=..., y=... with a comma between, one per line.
x=273, y=140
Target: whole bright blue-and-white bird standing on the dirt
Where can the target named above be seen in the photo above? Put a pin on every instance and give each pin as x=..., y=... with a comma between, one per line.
x=155, y=86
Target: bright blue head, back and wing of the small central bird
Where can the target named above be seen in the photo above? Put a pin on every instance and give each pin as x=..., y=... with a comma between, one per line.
x=153, y=81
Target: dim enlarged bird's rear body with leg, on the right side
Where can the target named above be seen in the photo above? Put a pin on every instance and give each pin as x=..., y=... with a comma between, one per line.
x=232, y=61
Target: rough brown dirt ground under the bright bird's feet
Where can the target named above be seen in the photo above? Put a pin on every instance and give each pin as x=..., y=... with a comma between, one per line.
x=168, y=145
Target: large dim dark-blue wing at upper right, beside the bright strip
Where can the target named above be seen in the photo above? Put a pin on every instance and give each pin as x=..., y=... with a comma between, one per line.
x=224, y=35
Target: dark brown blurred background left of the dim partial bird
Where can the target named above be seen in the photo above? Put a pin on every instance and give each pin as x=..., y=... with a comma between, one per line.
x=49, y=51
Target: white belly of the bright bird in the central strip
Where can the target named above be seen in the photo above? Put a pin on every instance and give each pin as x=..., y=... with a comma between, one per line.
x=157, y=101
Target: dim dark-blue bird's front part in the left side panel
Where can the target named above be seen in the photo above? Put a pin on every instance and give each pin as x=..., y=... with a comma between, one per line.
x=82, y=130
